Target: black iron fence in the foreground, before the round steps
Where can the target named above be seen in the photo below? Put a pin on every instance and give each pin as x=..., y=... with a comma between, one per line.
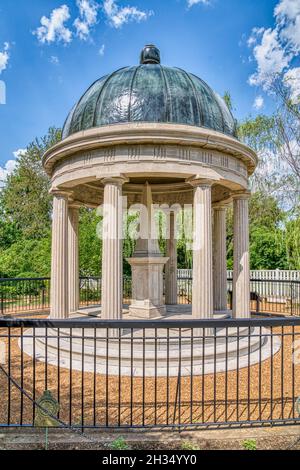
x=150, y=374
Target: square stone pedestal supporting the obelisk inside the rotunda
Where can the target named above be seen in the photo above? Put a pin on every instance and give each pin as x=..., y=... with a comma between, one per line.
x=147, y=287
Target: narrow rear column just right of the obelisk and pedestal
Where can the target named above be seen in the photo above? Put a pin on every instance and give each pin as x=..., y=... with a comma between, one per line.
x=171, y=266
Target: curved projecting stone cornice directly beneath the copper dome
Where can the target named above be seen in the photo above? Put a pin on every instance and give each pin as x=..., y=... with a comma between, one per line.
x=146, y=133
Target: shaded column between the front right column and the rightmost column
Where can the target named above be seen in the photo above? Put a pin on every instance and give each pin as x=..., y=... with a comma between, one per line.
x=219, y=258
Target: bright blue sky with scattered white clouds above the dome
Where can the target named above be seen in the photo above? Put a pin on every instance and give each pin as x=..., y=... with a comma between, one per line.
x=47, y=63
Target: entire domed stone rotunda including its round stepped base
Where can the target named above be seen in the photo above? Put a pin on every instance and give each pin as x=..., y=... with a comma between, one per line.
x=142, y=136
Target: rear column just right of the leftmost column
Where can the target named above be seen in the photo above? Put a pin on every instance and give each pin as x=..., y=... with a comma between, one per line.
x=73, y=257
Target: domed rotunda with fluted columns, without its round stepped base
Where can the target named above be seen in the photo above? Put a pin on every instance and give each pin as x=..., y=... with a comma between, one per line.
x=158, y=135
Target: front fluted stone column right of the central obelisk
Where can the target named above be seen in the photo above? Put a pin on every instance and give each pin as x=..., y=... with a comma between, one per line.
x=202, y=251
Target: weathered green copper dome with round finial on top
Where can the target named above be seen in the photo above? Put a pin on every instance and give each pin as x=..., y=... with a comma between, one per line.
x=153, y=93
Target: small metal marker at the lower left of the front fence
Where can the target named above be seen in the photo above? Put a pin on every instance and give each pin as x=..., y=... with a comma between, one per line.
x=51, y=407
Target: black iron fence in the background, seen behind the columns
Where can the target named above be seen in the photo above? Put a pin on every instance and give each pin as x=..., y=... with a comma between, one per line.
x=33, y=295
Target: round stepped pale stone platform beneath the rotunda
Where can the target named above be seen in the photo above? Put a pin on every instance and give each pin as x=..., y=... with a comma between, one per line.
x=155, y=352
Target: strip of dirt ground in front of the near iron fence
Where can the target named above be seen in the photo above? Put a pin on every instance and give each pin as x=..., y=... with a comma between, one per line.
x=278, y=438
